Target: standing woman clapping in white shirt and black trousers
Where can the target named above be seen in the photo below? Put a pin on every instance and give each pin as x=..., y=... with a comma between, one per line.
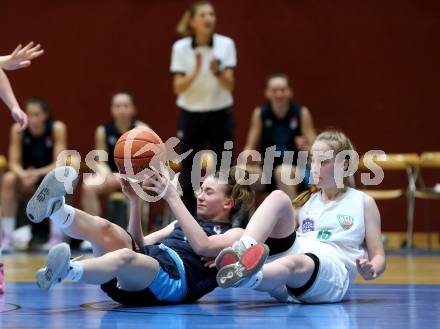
x=202, y=63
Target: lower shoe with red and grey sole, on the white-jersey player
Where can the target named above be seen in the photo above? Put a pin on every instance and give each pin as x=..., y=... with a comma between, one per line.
x=249, y=263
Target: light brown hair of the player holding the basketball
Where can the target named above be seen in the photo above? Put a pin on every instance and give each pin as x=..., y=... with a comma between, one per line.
x=242, y=195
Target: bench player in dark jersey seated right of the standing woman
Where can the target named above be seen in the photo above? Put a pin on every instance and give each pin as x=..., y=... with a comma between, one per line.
x=283, y=123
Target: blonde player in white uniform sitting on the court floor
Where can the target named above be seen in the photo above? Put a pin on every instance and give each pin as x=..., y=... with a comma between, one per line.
x=337, y=236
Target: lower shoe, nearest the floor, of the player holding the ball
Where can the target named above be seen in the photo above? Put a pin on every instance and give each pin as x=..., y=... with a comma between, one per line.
x=57, y=267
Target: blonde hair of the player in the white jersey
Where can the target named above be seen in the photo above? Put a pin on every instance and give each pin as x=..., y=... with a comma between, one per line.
x=338, y=142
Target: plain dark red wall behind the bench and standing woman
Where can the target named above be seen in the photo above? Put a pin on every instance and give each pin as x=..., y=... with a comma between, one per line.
x=369, y=68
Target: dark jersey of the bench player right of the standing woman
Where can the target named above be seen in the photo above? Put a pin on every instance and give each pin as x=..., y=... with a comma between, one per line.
x=281, y=133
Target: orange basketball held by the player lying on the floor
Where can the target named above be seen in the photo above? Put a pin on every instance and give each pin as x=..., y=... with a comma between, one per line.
x=138, y=149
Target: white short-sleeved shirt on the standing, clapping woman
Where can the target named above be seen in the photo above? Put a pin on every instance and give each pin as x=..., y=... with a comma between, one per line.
x=205, y=93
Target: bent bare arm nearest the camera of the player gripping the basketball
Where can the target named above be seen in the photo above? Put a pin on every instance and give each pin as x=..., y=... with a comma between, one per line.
x=198, y=239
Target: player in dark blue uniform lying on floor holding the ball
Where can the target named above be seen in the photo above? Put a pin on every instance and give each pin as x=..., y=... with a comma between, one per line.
x=163, y=267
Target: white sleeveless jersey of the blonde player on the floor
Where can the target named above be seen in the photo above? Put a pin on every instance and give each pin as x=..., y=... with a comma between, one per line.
x=333, y=229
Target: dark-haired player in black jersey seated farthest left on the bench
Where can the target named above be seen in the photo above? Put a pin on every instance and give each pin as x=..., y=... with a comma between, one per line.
x=32, y=155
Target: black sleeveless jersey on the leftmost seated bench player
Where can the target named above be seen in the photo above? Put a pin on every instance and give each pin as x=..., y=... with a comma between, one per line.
x=37, y=151
